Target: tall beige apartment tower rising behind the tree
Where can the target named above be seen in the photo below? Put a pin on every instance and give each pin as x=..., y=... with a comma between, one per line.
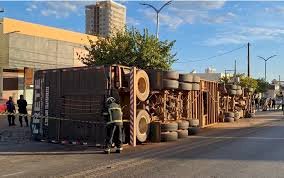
x=105, y=18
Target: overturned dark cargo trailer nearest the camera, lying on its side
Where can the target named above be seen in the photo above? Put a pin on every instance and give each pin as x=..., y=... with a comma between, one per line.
x=156, y=105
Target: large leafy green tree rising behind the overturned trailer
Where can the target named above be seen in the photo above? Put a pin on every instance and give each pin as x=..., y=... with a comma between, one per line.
x=131, y=48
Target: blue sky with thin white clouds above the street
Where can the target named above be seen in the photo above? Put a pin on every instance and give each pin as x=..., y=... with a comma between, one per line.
x=202, y=29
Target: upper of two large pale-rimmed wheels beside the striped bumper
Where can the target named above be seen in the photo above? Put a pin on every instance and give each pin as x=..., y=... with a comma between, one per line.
x=142, y=85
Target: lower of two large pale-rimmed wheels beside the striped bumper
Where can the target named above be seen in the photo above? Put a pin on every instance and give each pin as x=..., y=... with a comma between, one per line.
x=142, y=125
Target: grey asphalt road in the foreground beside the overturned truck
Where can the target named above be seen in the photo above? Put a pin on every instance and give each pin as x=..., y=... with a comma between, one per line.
x=248, y=148
